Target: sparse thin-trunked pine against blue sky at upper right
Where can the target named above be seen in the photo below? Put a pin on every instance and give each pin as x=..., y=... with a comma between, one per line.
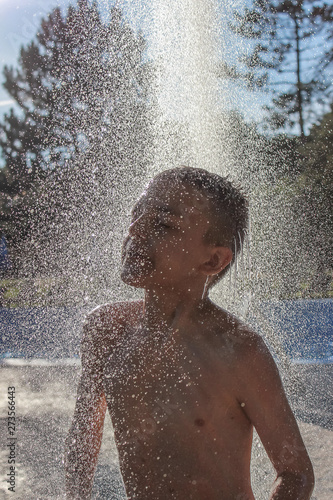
x=283, y=60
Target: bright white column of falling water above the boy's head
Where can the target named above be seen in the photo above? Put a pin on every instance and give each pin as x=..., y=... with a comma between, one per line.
x=184, y=47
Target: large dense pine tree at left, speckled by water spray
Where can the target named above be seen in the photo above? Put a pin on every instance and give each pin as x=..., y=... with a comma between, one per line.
x=81, y=133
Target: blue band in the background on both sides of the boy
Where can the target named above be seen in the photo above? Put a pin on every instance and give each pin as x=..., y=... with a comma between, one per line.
x=304, y=327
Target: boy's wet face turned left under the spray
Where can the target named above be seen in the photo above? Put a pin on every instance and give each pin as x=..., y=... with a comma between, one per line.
x=165, y=245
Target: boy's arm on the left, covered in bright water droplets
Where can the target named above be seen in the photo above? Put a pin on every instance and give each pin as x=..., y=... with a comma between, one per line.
x=85, y=435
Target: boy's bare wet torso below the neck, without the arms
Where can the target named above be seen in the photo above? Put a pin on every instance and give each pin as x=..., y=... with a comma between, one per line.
x=174, y=400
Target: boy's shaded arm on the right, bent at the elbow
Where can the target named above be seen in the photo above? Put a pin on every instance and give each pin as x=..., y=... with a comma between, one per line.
x=267, y=407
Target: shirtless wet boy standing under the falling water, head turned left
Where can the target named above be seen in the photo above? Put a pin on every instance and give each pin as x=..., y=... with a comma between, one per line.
x=184, y=381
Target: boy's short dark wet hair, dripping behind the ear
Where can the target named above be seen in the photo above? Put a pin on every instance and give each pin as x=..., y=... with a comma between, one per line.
x=228, y=208
